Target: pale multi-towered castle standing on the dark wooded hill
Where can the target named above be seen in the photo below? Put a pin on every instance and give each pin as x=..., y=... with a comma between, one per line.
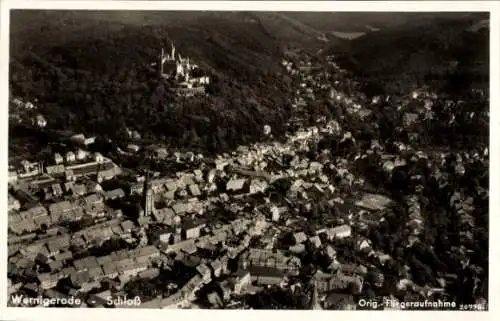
x=188, y=77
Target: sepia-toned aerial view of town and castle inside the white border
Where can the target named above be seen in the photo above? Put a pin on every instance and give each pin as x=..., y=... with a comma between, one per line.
x=248, y=160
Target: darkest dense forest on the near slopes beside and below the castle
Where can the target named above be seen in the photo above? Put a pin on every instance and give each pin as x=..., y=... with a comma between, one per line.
x=104, y=86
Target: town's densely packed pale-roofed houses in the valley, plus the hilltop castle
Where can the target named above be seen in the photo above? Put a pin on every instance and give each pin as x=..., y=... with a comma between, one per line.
x=287, y=216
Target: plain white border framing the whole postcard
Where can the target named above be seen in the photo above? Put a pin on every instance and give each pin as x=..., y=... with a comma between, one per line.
x=131, y=314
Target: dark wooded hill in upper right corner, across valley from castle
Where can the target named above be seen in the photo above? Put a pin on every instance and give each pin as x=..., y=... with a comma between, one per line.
x=447, y=53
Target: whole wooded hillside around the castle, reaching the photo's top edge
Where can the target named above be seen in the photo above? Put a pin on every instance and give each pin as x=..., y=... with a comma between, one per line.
x=90, y=72
